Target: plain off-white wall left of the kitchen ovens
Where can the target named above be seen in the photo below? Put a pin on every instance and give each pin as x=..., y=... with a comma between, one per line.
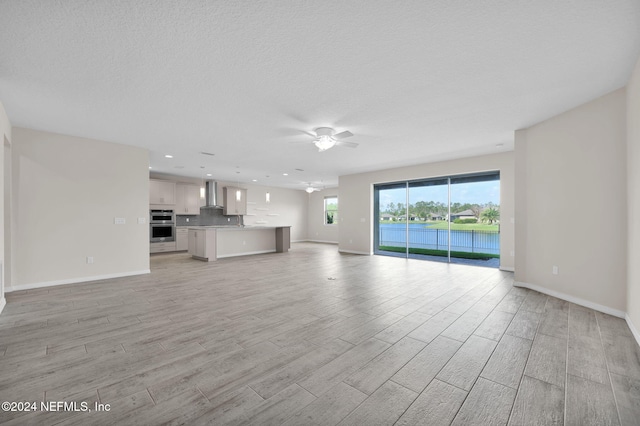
x=66, y=193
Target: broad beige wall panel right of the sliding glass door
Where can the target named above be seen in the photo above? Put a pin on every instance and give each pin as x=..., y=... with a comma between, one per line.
x=571, y=204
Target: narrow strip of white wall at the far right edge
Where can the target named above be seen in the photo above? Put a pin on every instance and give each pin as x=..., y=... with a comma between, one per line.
x=633, y=194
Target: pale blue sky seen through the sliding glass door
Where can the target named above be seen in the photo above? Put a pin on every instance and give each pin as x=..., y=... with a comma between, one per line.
x=473, y=193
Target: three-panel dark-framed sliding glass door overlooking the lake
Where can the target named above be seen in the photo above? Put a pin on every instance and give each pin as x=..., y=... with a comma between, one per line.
x=449, y=219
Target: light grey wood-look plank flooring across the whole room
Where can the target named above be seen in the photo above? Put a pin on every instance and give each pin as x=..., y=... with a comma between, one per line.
x=315, y=337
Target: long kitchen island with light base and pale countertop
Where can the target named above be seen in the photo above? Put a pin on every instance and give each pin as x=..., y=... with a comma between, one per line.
x=210, y=243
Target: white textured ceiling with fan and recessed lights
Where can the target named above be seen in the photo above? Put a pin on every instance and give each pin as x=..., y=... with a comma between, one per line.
x=416, y=81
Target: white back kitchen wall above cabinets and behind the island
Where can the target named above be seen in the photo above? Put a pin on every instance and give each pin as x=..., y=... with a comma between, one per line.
x=286, y=207
